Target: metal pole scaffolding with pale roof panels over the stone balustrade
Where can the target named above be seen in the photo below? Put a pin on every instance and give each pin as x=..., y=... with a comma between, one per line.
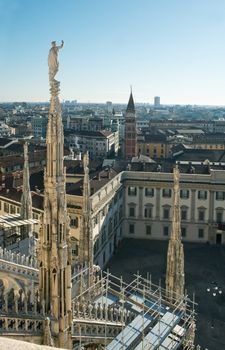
x=139, y=315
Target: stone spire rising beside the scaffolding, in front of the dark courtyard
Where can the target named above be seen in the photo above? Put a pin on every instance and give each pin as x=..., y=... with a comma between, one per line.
x=175, y=253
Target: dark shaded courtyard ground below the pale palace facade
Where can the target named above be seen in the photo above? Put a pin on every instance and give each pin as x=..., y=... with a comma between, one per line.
x=204, y=268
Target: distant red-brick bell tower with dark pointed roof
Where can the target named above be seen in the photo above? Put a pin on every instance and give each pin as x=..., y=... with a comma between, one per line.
x=130, y=150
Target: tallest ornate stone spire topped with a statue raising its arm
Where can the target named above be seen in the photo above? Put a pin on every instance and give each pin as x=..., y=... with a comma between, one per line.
x=54, y=243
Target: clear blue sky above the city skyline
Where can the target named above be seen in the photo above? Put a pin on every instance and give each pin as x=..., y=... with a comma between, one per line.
x=171, y=48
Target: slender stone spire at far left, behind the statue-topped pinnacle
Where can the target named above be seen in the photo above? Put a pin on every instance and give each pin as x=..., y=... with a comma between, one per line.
x=26, y=201
